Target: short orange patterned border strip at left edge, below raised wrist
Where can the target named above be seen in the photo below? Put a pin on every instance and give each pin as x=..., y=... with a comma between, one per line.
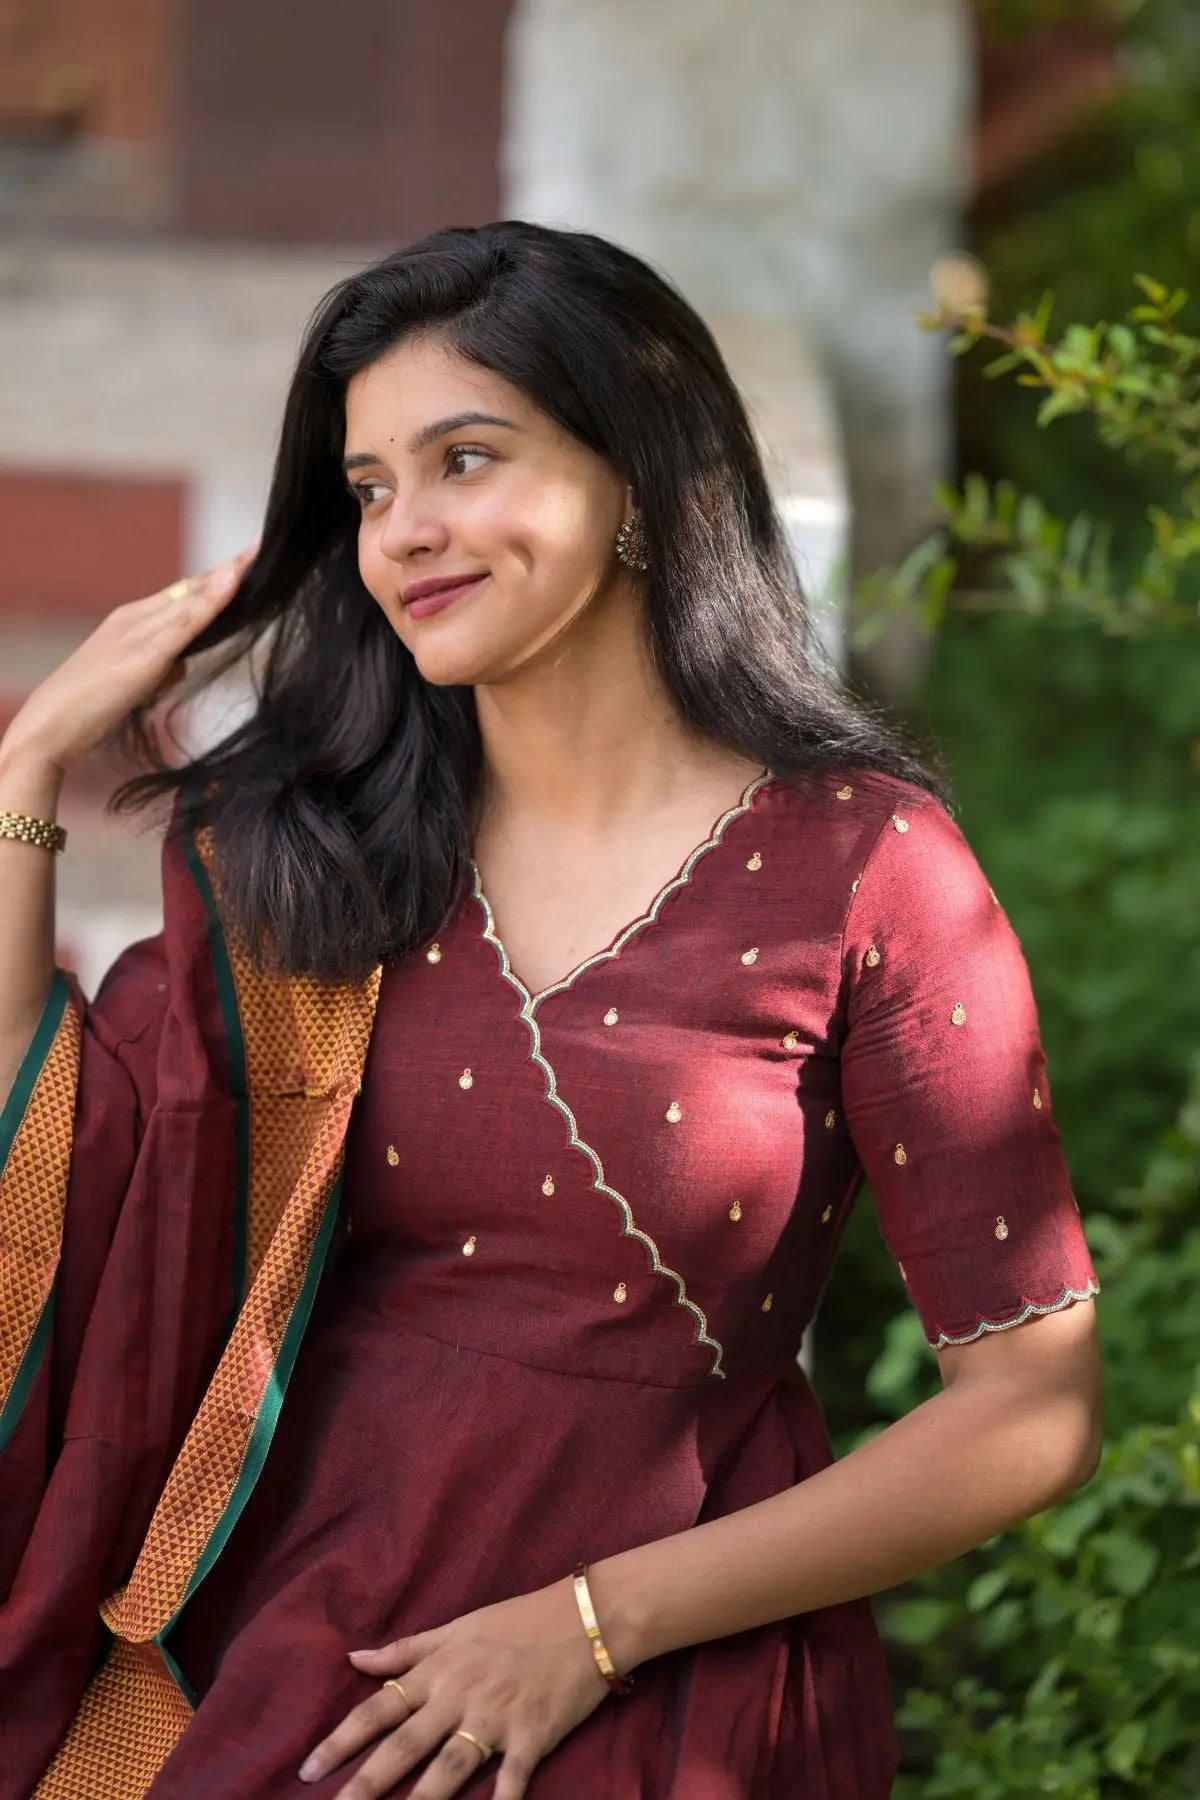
x=33, y=1194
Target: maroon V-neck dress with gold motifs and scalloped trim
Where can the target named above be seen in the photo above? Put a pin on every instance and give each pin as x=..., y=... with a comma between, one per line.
x=584, y=1234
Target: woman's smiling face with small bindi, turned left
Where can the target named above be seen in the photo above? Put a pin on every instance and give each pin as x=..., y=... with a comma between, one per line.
x=514, y=501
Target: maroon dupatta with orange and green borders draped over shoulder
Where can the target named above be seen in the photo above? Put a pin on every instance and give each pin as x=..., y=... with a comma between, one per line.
x=170, y=1180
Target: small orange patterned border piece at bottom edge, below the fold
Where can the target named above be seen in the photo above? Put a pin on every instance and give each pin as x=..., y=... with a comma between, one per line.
x=127, y=1725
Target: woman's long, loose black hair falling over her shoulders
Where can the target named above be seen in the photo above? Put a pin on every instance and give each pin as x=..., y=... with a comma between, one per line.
x=343, y=809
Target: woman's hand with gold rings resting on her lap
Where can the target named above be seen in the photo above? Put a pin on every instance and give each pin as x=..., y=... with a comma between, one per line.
x=519, y=1675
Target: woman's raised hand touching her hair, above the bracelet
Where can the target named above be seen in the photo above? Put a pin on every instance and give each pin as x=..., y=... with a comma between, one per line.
x=134, y=656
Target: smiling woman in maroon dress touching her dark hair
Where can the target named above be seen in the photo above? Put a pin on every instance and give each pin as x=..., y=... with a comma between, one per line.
x=544, y=964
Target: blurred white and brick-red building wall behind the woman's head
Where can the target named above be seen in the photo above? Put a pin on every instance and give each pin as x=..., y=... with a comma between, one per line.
x=183, y=179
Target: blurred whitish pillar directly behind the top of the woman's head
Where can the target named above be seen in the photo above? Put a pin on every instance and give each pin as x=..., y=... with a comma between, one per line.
x=798, y=168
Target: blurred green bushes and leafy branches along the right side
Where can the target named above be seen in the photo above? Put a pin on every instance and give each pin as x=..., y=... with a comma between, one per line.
x=1064, y=1657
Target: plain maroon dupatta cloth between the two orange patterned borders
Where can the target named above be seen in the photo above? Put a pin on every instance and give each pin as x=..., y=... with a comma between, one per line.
x=143, y=1297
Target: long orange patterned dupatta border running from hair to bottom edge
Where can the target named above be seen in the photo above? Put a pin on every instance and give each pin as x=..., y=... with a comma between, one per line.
x=305, y=1045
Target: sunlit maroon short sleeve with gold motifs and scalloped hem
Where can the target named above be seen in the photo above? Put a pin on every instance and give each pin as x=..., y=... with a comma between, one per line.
x=945, y=1090
